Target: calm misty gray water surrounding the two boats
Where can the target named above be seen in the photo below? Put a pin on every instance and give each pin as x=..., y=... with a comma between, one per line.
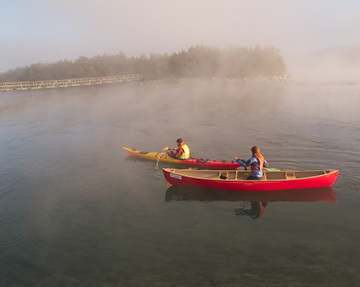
x=76, y=210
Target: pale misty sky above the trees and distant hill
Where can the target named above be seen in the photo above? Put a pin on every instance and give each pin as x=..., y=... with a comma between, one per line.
x=47, y=31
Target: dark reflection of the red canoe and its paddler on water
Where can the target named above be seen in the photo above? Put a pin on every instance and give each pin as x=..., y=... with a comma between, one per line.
x=258, y=199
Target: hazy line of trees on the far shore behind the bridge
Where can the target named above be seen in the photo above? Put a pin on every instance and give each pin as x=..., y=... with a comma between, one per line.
x=197, y=61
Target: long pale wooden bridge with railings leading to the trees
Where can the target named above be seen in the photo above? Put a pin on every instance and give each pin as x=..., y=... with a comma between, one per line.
x=8, y=86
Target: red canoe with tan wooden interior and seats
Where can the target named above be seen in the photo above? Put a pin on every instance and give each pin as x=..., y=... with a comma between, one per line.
x=236, y=179
